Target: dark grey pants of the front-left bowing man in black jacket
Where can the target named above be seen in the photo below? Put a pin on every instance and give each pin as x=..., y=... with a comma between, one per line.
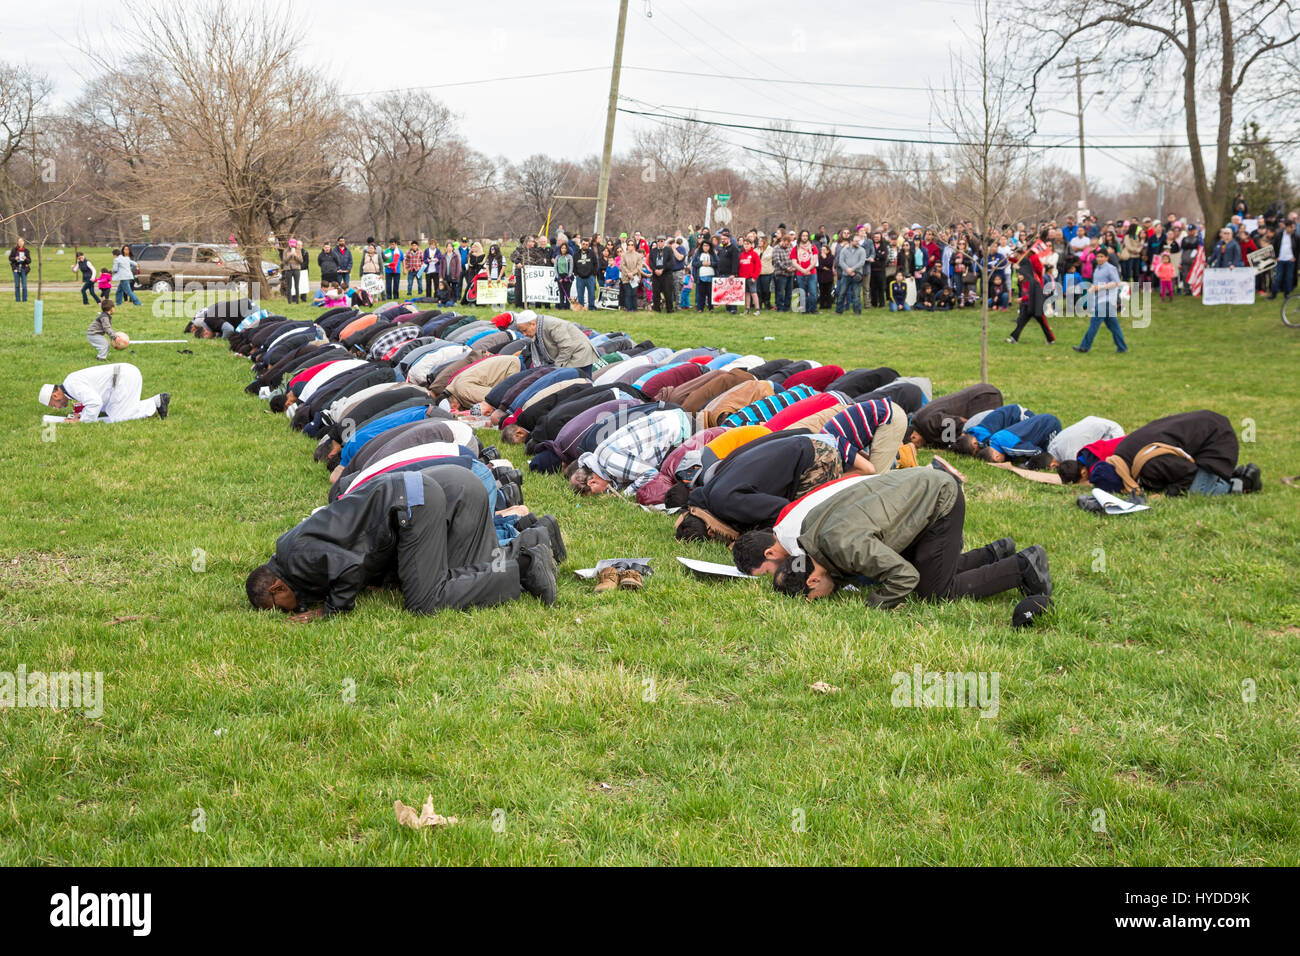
x=448, y=553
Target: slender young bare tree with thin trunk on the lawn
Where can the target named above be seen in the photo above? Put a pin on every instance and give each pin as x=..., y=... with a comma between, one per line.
x=990, y=153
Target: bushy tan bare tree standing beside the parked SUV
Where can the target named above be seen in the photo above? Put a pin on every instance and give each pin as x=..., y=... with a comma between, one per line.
x=237, y=123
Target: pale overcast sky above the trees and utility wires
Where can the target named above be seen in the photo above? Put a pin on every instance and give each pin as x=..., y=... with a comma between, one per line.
x=886, y=57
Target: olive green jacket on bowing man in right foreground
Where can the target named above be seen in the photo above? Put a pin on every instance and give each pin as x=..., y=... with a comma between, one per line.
x=864, y=530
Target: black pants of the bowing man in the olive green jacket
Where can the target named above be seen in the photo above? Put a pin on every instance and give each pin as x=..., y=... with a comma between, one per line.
x=947, y=573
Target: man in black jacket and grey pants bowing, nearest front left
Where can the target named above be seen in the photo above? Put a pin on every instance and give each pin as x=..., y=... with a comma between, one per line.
x=431, y=533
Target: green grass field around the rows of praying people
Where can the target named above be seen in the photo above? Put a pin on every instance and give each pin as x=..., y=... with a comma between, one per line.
x=674, y=725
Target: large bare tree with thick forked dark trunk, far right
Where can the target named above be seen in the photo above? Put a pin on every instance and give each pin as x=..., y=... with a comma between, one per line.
x=1212, y=45
